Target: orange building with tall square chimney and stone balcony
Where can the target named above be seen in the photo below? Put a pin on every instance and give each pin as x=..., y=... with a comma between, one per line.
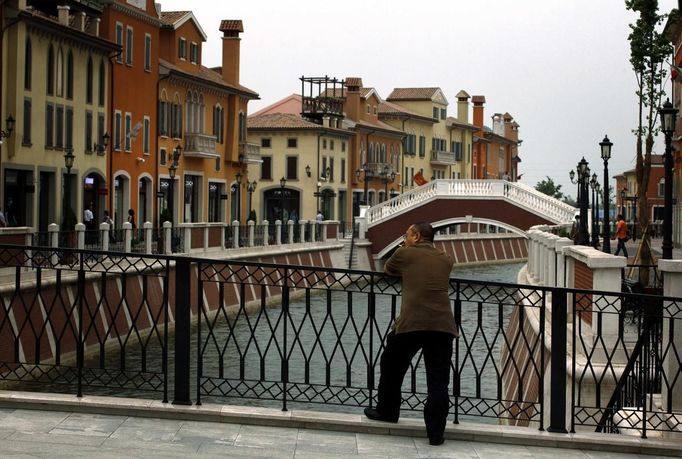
x=202, y=125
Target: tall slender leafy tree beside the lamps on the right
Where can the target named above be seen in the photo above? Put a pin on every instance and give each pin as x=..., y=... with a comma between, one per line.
x=649, y=49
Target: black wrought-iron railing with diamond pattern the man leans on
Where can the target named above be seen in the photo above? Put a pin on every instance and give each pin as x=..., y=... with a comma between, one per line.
x=87, y=321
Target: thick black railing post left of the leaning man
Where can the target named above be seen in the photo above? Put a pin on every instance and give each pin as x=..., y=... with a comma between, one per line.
x=182, y=331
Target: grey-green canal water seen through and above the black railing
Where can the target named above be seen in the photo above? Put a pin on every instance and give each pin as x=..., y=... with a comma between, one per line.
x=317, y=325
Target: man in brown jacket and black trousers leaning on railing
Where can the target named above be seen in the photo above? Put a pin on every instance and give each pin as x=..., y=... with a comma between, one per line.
x=426, y=322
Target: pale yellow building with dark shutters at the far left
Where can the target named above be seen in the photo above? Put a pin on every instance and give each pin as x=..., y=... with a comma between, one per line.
x=55, y=84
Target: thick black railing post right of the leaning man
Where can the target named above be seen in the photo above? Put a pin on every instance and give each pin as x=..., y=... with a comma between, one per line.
x=558, y=358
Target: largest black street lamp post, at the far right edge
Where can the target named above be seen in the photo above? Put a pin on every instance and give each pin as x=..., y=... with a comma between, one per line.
x=668, y=115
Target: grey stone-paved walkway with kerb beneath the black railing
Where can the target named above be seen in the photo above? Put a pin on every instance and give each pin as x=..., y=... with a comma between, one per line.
x=56, y=426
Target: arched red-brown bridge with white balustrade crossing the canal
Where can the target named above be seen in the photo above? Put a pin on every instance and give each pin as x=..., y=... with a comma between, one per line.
x=510, y=205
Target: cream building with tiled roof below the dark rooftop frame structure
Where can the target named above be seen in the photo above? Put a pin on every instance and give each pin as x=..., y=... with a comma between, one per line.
x=310, y=157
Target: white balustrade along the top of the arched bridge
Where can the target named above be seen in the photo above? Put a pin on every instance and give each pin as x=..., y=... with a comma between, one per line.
x=518, y=193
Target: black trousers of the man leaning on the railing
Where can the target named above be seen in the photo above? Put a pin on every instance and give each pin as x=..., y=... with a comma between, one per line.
x=400, y=349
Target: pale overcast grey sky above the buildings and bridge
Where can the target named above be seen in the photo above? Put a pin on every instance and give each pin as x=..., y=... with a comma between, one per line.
x=560, y=68
